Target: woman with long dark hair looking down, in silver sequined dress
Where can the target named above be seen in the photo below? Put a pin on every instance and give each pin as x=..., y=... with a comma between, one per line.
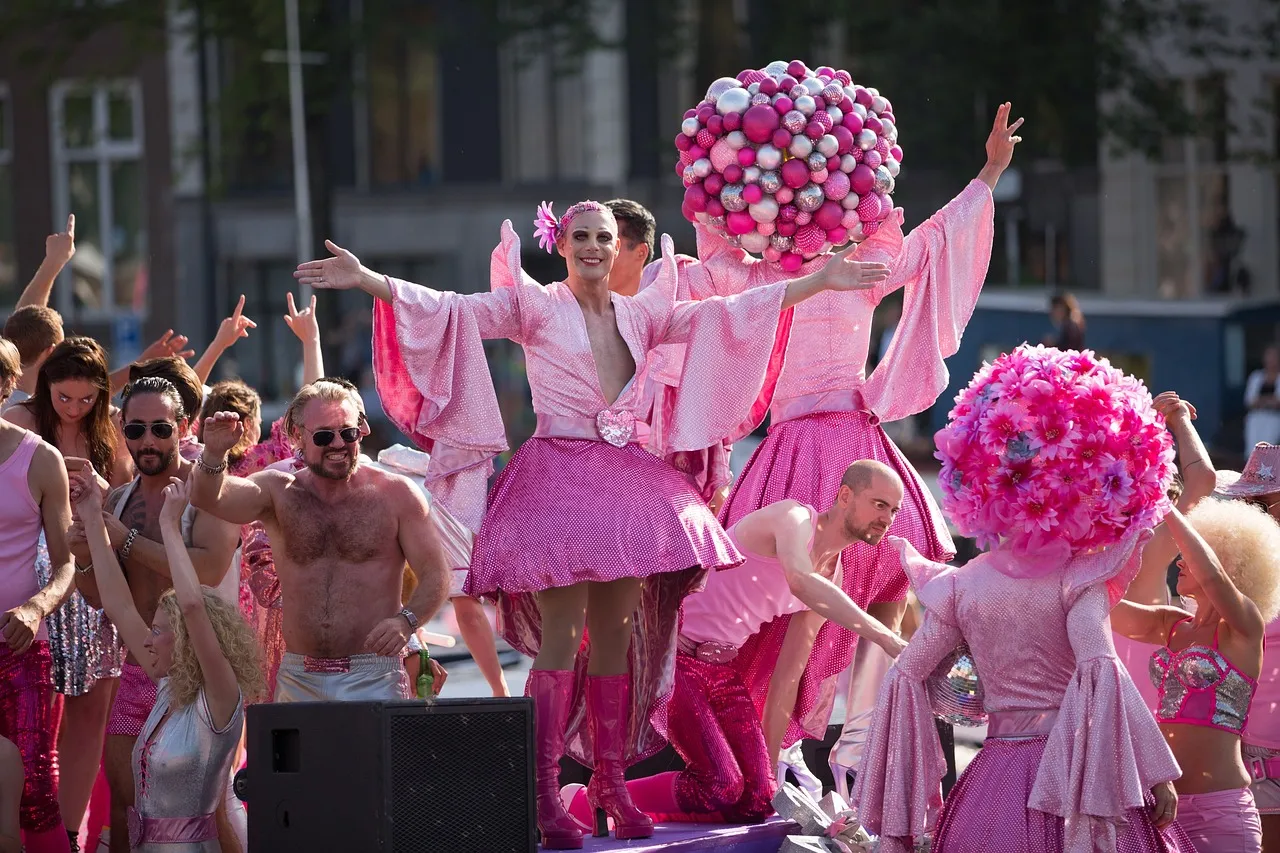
x=71, y=409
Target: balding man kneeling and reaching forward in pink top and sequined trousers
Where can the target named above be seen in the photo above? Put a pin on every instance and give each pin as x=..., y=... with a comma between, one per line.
x=793, y=567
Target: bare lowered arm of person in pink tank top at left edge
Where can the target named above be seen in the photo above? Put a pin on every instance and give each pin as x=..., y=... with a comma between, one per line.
x=48, y=478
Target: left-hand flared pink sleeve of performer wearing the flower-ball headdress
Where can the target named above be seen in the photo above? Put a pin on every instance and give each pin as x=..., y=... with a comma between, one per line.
x=898, y=791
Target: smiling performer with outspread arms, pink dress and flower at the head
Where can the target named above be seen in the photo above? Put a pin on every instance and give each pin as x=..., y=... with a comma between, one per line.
x=583, y=513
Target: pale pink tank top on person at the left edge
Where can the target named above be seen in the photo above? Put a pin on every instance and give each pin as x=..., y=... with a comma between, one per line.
x=20, y=530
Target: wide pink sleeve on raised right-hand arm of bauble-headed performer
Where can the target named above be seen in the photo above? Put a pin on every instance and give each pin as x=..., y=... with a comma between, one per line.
x=943, y=264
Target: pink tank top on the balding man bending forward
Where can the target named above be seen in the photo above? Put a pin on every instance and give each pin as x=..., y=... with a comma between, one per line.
x=738, y=603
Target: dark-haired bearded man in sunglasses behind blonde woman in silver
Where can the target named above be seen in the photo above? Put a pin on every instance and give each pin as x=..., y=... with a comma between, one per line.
x=156, y=423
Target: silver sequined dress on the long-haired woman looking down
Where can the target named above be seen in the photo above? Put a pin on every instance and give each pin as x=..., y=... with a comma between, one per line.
x=83, y=640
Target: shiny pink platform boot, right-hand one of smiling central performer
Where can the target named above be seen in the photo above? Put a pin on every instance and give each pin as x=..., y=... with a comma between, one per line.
x=609, y=703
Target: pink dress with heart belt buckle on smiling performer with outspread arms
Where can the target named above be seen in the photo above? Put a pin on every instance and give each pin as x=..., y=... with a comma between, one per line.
x=583, y=500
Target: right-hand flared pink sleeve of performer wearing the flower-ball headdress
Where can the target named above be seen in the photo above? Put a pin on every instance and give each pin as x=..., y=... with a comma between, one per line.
x=1107, y=751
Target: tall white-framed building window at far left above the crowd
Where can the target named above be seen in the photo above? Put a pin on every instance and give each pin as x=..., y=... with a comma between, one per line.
x=99, y=176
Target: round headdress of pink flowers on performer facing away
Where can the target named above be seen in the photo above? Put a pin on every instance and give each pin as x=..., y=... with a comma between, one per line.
x=1050, y=449
